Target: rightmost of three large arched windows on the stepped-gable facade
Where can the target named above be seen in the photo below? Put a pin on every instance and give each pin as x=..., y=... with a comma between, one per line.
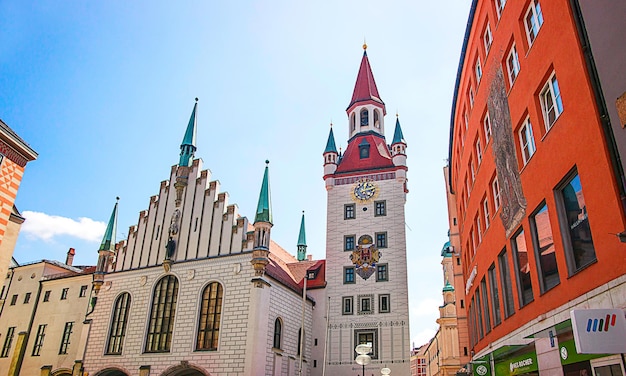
x=210, y=317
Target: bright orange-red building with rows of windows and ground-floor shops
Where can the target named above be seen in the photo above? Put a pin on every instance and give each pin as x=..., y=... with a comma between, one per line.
x=538, y=191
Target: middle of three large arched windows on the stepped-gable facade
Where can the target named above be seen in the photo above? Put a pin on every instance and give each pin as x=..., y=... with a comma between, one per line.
x=162, y=315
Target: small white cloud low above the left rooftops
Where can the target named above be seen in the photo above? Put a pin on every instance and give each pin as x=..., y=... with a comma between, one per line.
x=46, y=227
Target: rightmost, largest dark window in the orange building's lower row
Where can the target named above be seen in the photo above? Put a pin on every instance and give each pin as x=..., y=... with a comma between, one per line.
x=575, y=229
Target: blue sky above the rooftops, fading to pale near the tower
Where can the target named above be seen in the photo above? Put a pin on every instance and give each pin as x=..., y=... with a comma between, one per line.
x=103, y=92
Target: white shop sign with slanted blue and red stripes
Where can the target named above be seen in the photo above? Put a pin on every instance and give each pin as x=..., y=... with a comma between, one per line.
x=599, y=331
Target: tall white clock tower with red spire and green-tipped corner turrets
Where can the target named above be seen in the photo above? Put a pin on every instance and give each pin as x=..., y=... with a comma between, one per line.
x=366, y=268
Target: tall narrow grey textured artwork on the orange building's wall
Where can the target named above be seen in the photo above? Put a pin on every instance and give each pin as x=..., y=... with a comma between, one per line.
x=512, y=198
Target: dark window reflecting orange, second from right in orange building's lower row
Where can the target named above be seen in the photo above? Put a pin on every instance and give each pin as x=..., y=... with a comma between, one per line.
x=543, y=243
